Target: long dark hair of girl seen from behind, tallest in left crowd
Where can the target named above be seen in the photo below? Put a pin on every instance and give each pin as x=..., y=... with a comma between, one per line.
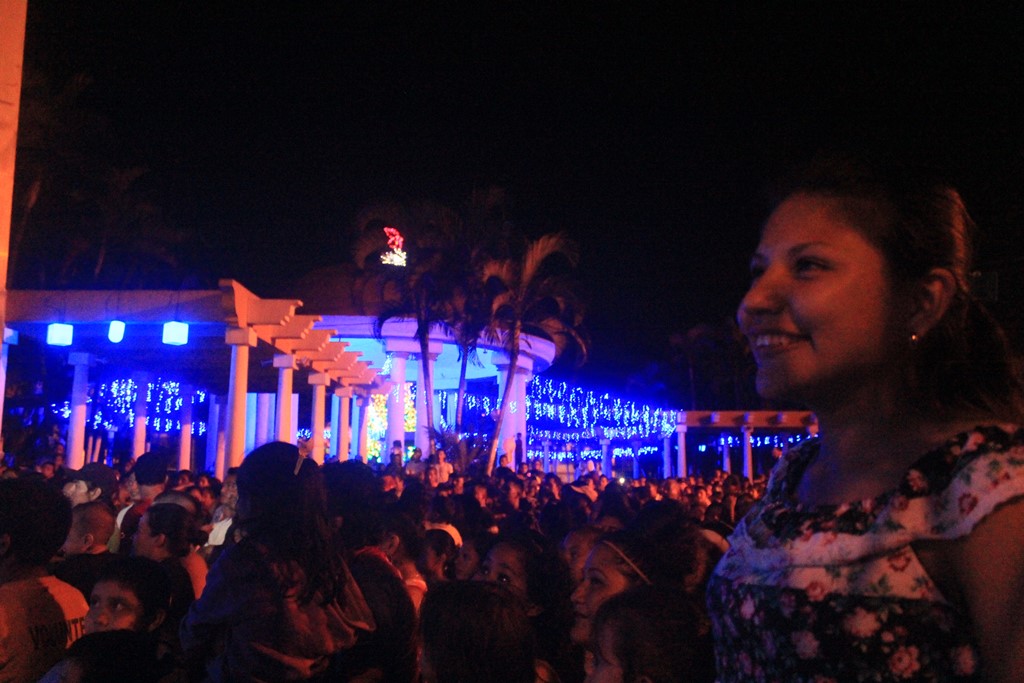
x=283, y=509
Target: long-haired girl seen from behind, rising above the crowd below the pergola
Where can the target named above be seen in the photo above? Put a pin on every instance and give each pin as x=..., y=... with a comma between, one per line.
x=280, y=604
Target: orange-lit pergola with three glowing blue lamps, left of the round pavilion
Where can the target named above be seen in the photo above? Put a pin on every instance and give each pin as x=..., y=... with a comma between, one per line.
x=238, y=343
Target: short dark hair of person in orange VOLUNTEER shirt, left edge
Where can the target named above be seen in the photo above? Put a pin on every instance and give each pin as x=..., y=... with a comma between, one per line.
x=37, y=518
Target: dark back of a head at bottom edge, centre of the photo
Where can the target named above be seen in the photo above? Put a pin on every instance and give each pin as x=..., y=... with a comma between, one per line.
x=476, y=631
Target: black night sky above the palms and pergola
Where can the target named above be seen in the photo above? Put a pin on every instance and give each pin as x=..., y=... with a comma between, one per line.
x=646, y=132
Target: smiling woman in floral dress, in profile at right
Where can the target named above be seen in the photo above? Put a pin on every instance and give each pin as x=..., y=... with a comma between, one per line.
x=887, y=549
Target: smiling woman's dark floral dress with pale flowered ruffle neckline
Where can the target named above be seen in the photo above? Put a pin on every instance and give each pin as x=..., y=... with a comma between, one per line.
x=837, y=593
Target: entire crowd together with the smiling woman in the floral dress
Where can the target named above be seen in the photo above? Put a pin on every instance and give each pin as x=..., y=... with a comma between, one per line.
x=888, y=548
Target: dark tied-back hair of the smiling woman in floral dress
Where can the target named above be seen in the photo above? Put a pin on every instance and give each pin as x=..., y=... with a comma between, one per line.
x=920, y=224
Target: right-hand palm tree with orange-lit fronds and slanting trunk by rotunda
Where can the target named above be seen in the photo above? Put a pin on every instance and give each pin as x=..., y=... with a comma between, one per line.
x=532, y=297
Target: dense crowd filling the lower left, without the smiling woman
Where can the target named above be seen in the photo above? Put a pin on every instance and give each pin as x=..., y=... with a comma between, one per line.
x=287, y=571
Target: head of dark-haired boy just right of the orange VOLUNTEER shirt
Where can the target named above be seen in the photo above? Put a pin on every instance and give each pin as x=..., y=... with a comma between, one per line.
x=132, y=593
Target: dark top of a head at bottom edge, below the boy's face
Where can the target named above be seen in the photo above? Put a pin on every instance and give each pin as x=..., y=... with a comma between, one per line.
x=126, y=657
